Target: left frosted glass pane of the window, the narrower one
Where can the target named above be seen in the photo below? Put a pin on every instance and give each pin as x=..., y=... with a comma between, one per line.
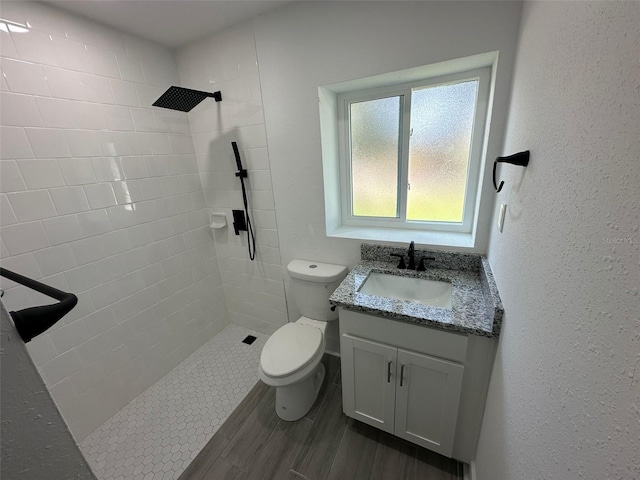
x=375, y=130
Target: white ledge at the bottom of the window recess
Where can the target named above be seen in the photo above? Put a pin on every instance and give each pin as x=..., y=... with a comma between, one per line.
x=441, y=239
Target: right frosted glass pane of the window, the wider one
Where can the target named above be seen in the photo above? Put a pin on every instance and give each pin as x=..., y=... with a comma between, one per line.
x=441, y=126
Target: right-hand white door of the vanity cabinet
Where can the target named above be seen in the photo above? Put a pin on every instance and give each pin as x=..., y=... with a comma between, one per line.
x=427, y=398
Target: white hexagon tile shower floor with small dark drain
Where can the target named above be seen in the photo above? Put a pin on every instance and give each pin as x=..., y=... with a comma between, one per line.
x=160, y=432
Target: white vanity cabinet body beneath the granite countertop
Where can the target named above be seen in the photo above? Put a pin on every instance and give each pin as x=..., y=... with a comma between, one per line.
x=409, y=381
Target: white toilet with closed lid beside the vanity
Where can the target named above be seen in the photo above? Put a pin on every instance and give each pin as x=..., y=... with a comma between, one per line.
x=291, y=357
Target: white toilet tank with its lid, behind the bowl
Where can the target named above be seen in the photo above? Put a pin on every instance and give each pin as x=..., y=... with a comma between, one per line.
x=312, y=283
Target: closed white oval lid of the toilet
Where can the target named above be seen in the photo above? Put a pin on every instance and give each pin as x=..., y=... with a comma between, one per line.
x=289, y=349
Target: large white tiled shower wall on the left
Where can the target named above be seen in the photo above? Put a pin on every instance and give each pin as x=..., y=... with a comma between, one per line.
x=101, y=196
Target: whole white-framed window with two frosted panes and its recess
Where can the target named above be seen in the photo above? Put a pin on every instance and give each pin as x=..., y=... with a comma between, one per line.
x=404, y=153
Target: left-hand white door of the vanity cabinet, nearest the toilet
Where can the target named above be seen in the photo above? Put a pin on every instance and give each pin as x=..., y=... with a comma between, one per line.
x=368, y=381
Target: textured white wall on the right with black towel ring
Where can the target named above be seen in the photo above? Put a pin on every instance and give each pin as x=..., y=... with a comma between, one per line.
x=564, y=400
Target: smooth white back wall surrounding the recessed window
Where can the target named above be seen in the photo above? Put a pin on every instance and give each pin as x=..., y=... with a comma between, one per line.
x=309, y=44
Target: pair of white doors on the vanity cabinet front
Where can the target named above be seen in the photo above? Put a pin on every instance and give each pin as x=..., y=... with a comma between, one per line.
x=411, y=395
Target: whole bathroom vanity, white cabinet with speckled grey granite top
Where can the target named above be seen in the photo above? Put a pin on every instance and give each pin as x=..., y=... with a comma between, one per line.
x=413, y=369
